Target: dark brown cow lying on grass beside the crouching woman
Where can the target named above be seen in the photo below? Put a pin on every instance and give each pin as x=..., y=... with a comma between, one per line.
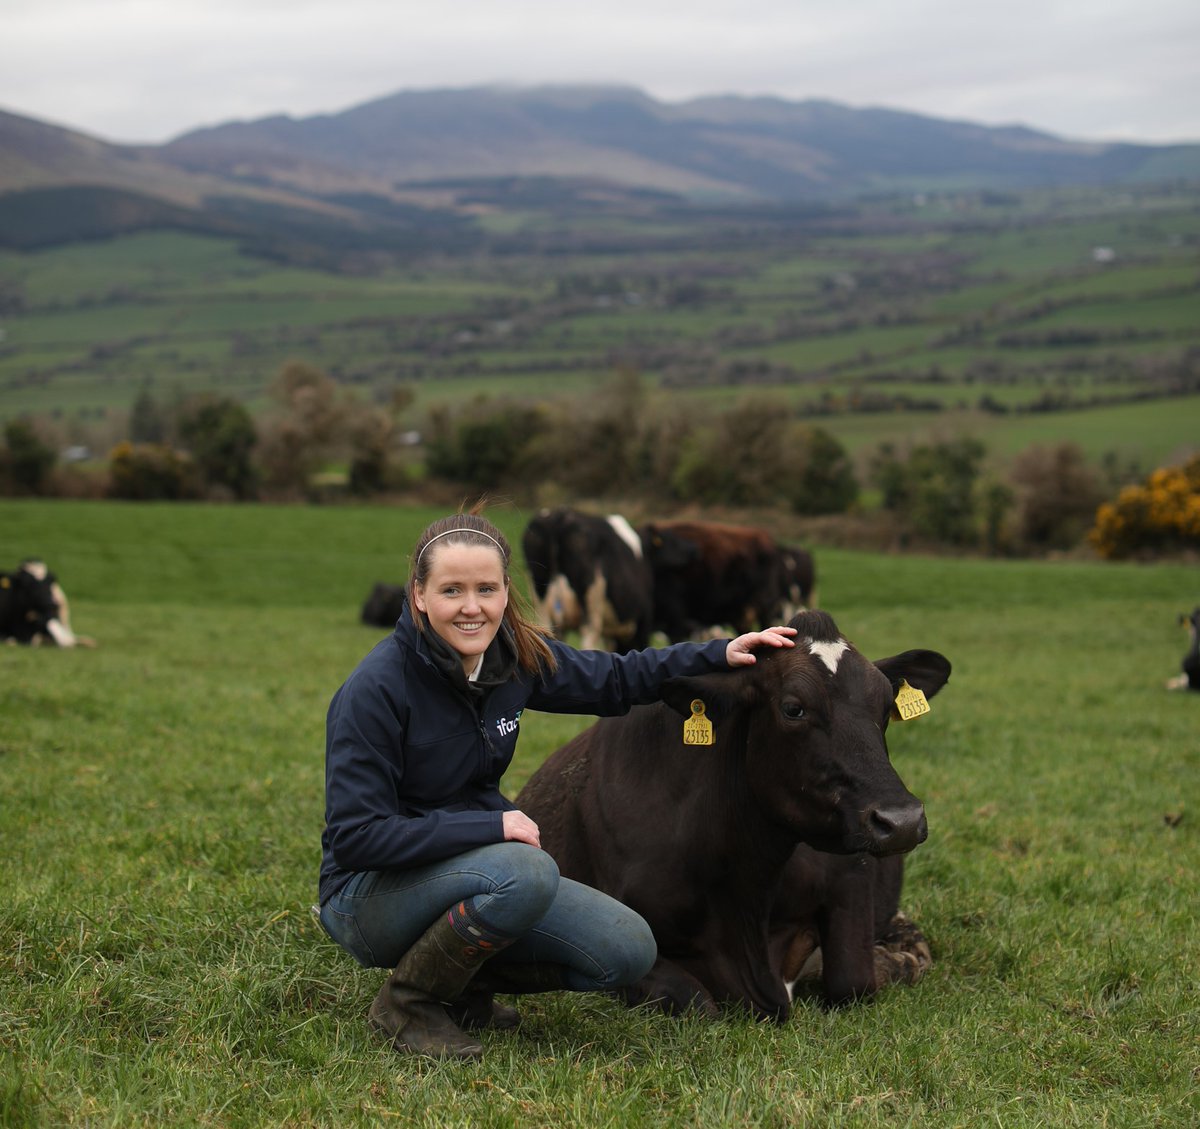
x=787, y=834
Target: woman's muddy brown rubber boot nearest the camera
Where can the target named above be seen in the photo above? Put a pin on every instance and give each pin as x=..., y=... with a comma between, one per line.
x=410, y=1010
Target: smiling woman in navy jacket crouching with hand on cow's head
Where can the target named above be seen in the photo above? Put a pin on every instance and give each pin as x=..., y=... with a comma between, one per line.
x=427, y=868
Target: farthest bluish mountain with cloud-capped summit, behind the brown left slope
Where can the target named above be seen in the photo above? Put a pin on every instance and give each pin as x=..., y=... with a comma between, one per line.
x=734, y=148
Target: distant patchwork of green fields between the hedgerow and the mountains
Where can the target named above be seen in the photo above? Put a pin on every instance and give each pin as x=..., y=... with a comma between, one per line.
x=1079, y=295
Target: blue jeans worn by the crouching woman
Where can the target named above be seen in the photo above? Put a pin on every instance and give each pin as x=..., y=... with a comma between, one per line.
x=514, y=891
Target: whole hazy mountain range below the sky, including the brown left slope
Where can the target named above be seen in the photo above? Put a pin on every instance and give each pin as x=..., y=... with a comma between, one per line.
x=410, y=171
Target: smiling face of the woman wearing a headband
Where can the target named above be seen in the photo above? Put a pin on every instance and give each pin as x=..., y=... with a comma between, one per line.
x=465, y=597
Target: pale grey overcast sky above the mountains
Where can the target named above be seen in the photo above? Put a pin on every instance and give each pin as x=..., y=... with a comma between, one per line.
x=151, y=70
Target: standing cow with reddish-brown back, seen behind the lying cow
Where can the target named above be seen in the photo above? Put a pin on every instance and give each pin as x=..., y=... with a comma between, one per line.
x=709, y=574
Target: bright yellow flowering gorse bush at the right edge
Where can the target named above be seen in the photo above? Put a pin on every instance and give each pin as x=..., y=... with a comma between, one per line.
x=1163, y=514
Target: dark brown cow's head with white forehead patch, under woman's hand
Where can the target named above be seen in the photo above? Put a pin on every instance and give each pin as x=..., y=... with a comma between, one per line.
x=811, y=724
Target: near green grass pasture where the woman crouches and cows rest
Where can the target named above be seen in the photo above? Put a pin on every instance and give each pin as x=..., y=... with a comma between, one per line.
x=163, y=808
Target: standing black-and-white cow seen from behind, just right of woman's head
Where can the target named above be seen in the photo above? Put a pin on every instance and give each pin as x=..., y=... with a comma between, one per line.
x=590, y=574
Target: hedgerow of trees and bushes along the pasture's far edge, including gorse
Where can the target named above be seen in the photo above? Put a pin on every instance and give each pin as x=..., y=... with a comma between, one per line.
x=317, y=440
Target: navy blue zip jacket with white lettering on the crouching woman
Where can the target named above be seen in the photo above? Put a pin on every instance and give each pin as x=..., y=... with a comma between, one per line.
x=415, y=759
